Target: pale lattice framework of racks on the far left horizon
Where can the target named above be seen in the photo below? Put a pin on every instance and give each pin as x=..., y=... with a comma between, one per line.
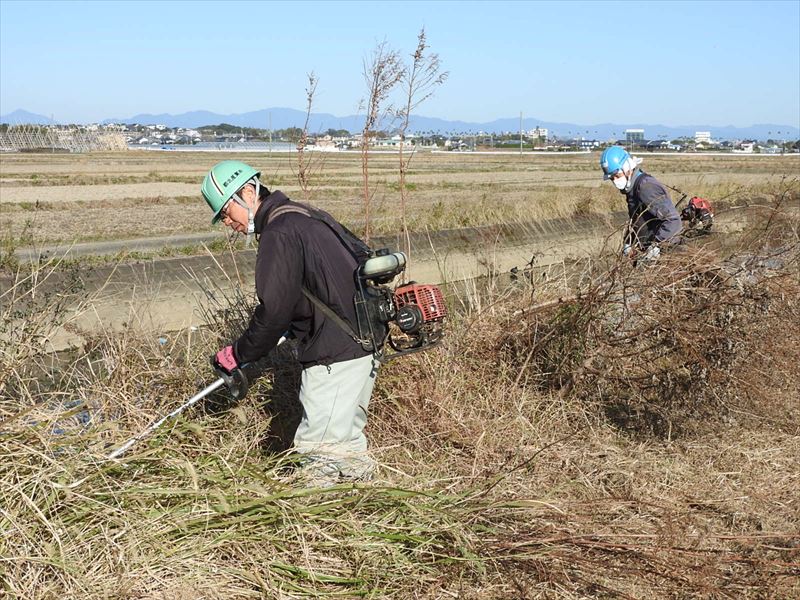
x=39, y=138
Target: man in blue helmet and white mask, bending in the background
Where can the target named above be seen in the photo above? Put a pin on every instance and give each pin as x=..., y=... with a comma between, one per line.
x=654, y=223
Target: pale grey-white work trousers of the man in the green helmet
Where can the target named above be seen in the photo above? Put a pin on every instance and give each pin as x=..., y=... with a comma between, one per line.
x=335, y=400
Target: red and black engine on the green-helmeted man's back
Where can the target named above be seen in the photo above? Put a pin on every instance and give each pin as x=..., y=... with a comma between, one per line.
x=408, y=319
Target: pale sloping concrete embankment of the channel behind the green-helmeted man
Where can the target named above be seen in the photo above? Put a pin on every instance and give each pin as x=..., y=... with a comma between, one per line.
x=166, y=296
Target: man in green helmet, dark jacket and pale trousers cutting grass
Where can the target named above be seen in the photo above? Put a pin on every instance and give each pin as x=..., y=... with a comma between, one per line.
x=302, y=252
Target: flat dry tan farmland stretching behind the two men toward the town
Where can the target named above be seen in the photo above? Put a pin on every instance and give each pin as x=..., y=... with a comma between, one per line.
x=47, y=199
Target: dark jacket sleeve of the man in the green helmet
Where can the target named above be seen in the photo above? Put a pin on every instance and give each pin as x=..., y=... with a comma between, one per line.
x=279, y=284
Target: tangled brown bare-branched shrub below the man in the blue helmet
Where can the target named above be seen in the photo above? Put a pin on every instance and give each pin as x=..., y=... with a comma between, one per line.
x=661, y=348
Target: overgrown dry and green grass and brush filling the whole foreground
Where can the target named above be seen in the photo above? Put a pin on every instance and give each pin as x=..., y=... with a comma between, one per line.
x=637, y=439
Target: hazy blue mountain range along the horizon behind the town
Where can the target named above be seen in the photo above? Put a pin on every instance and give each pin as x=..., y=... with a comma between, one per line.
x=281, y=118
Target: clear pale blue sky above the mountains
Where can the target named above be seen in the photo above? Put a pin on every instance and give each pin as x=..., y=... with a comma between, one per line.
x=673, y=63
